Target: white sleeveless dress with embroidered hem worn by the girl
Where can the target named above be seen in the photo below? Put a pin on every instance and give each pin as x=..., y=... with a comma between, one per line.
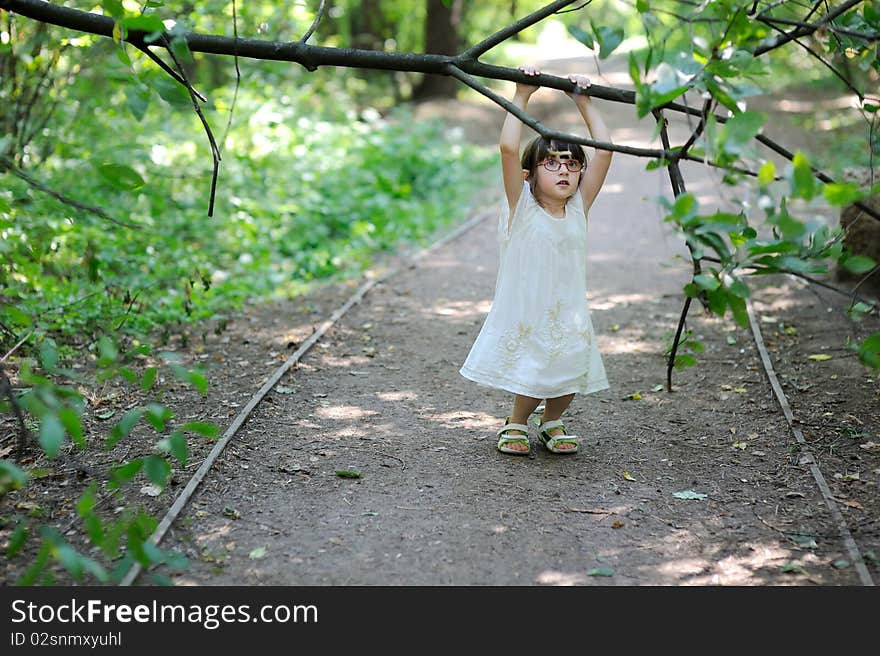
x=538, y=339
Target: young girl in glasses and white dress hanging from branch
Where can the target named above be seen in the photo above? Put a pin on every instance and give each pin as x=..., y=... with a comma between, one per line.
x=538, y=341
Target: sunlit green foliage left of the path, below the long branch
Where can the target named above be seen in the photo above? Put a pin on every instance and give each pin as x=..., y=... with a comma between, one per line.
x=312, y=186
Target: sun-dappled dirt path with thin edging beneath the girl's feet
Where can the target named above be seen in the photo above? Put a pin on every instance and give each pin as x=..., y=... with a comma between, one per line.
x=437, y=504
